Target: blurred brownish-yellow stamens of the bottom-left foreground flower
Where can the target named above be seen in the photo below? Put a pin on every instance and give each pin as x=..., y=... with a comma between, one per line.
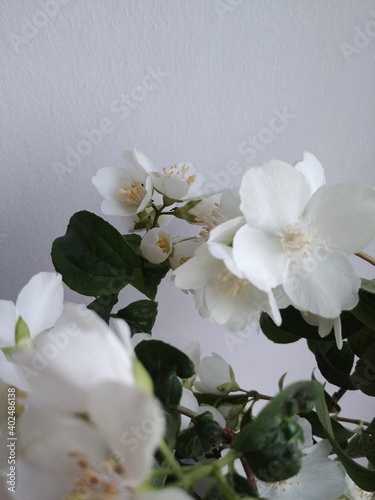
x=97, y=480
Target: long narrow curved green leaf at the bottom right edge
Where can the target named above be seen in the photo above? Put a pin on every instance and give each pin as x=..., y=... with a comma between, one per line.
x=364, y=478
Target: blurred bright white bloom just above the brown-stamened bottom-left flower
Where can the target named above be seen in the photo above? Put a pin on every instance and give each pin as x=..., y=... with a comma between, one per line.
x=79, y=352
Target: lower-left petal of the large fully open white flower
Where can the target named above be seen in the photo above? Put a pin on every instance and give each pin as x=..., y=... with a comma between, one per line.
x=260, y=256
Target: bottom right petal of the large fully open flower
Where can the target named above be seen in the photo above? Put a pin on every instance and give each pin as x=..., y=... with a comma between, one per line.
x=327, y=288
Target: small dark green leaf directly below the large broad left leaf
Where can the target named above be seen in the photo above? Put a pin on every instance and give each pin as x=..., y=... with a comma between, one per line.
x=139, y=315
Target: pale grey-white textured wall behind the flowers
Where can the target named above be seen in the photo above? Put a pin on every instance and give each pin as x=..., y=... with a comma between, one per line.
x=226, y=68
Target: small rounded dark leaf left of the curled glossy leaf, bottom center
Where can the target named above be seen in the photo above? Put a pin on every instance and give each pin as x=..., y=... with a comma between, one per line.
x=200, y=438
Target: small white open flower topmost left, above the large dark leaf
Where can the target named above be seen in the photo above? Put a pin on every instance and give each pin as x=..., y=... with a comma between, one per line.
x=126, y=190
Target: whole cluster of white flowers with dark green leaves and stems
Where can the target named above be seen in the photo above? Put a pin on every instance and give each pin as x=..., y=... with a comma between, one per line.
x=102, y=410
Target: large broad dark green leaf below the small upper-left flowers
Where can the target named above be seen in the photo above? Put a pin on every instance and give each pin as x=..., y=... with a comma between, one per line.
x=93, y=258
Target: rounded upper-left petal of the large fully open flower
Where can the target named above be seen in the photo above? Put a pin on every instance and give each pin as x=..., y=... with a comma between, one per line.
x=273, y=196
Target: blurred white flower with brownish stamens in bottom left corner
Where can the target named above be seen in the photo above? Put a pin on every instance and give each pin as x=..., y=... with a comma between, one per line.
x=110, y=452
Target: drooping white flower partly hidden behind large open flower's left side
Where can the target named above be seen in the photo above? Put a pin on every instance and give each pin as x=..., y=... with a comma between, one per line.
x=221, y=291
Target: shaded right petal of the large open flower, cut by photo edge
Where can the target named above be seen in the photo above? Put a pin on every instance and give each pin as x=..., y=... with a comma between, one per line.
x=344, y=215
